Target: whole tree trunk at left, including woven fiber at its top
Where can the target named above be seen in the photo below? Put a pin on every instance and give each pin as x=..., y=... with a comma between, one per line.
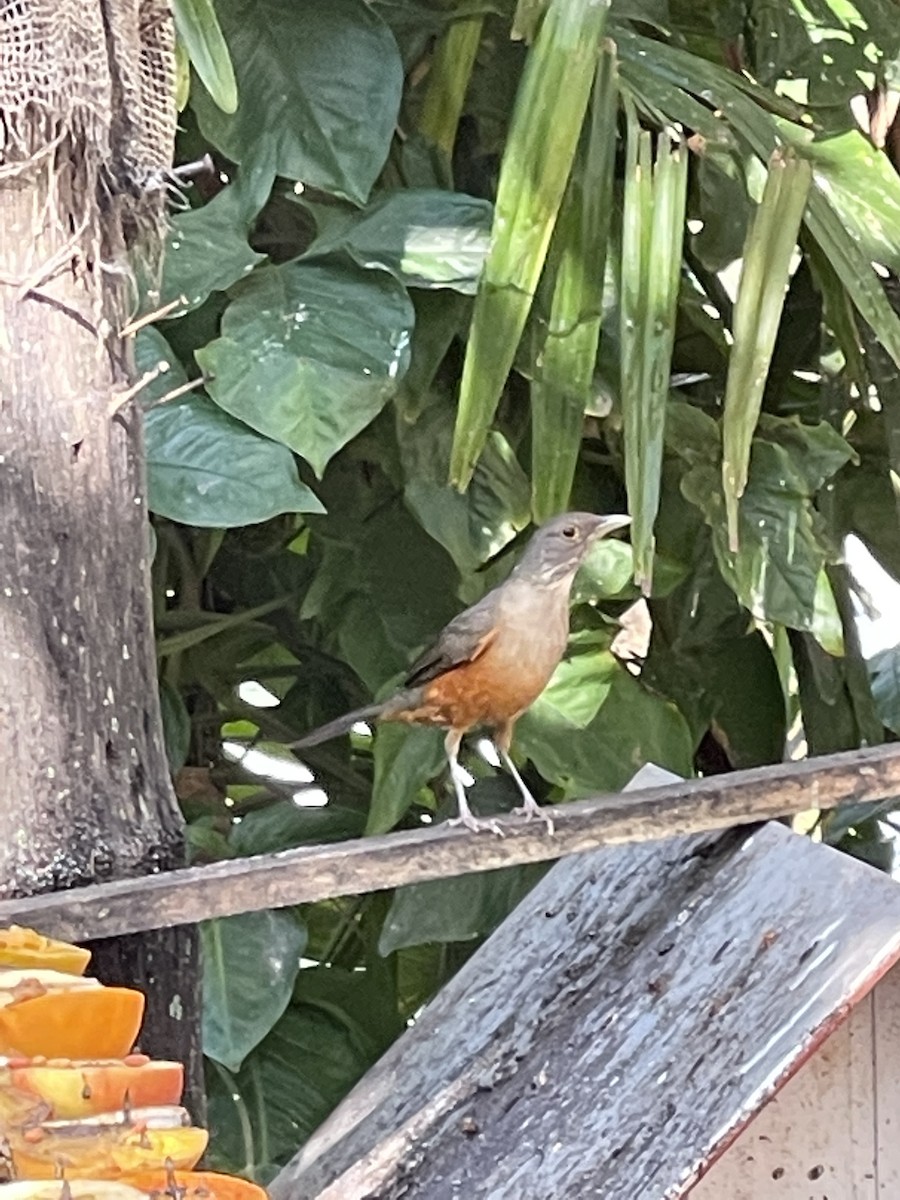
x=82, y=764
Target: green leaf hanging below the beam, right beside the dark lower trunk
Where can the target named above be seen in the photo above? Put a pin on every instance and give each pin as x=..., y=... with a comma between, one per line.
x=250, y=964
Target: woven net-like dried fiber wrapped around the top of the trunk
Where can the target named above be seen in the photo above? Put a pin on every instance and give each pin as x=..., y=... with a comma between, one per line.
x=87, y=98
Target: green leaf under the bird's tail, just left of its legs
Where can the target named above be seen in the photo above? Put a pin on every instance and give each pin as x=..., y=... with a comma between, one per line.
x=405, y=761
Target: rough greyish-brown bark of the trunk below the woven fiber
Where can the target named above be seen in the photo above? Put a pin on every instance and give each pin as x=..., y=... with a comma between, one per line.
x=83, y=771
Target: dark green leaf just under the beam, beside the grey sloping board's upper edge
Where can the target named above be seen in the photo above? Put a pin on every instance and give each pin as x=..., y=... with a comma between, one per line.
x=455, y=910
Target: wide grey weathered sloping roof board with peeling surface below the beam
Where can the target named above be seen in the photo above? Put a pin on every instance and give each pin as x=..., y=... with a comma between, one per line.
x=620, y=1029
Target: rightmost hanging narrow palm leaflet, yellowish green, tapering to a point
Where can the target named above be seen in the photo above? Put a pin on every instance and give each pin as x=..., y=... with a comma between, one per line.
x=766, y=271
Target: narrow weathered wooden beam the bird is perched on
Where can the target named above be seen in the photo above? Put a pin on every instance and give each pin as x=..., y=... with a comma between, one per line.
x=411, y=856
